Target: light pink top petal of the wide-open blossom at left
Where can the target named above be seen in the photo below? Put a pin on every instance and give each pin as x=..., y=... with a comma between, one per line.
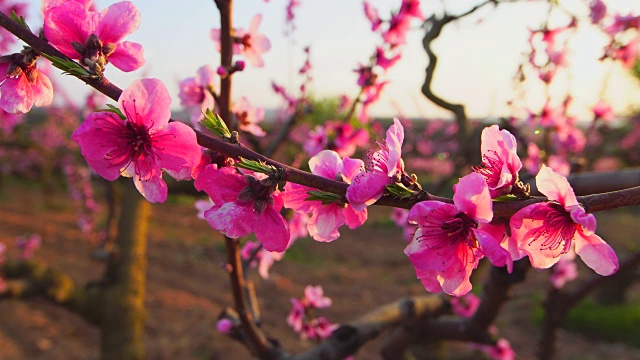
x=146, y=102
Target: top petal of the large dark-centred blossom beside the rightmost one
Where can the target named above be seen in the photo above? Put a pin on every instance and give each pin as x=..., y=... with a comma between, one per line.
x=472, y=197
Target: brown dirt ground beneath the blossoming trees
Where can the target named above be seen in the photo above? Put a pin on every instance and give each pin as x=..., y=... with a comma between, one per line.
x=187, y=288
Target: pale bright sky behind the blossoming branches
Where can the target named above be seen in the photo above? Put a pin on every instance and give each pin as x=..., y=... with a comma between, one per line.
x=477, y=59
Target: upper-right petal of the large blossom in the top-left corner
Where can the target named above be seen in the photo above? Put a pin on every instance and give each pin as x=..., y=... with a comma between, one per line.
x=117, y=21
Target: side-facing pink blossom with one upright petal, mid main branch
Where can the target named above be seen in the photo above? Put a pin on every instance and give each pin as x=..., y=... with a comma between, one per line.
x=383, y=168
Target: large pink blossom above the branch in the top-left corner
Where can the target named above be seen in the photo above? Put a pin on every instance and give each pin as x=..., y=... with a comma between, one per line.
x=95, y=37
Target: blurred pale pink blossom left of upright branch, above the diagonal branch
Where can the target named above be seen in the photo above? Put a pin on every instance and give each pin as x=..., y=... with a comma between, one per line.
x=195, y=92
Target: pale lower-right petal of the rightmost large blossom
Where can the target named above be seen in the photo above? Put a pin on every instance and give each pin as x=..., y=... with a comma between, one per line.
x=596, y=253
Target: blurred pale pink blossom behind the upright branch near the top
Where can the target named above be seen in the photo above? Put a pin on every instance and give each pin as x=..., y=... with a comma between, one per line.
x=251, y=44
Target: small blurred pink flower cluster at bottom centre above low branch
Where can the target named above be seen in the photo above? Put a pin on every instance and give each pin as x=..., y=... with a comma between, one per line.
x=302, y=319
